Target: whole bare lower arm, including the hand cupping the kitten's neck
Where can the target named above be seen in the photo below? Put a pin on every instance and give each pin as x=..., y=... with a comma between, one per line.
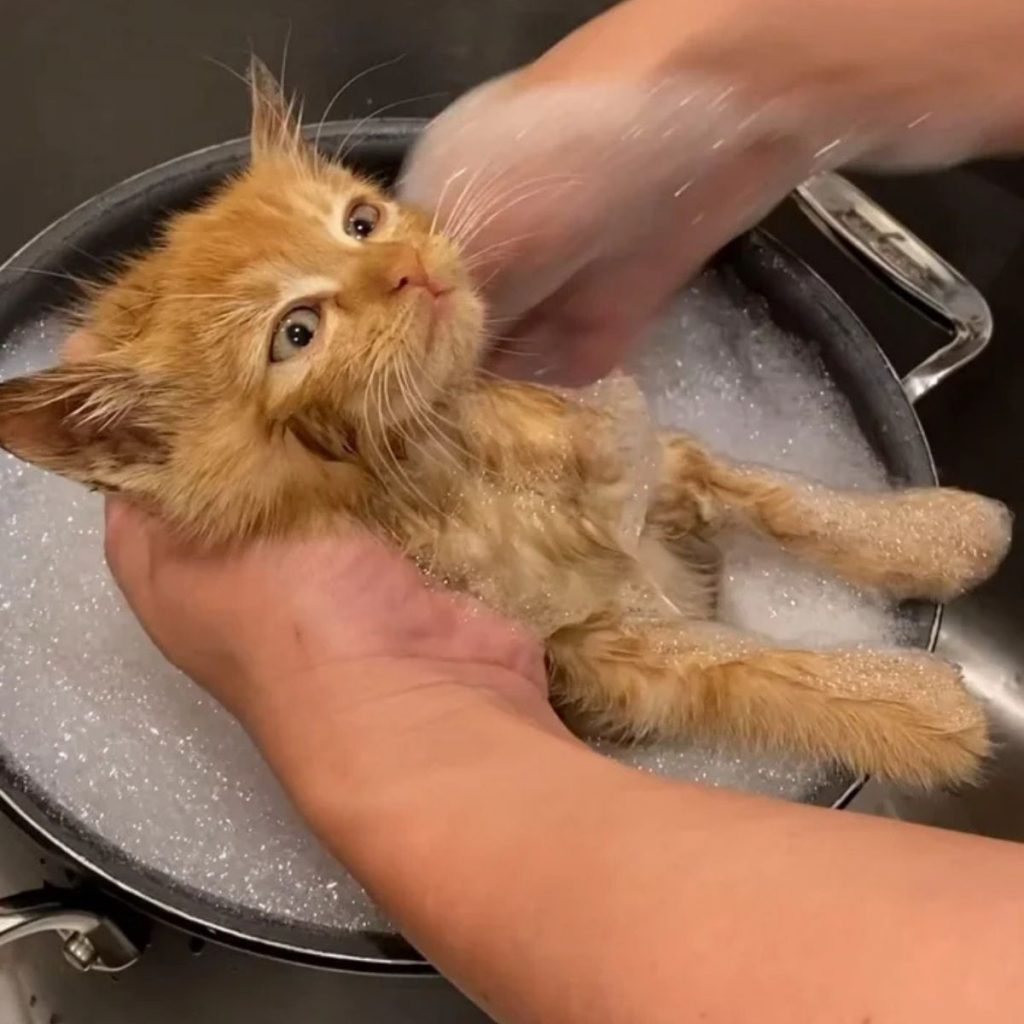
x=550, y=883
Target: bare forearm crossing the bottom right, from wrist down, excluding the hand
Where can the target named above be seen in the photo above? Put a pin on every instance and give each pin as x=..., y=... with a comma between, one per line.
x=521, y=863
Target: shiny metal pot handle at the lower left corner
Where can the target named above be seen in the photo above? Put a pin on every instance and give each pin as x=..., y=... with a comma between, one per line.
x=92, y=942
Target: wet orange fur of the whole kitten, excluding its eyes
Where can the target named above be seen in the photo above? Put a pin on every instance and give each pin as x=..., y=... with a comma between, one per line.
x=510, y=492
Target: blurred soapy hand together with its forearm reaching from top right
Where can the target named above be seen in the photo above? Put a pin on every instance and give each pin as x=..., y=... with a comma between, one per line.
x=585, y=189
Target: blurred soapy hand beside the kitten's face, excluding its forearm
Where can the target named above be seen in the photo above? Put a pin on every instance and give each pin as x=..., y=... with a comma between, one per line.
x=582, y=207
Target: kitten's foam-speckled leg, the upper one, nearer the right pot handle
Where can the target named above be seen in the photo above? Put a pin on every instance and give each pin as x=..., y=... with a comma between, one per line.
x=926, y=542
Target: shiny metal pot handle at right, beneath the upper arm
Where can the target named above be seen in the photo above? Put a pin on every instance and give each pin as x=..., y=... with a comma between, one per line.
x=887, y=249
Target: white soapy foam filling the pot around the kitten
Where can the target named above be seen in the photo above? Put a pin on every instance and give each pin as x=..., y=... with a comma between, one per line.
x=95, y=716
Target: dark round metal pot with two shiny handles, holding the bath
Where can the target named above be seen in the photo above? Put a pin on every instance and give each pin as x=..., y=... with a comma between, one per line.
x=102, y=916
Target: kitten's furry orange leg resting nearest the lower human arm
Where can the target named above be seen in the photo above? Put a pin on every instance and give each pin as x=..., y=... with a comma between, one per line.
x=903, y=716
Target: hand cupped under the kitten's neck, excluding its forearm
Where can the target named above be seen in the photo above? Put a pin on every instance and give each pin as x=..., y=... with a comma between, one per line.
x=324, y=650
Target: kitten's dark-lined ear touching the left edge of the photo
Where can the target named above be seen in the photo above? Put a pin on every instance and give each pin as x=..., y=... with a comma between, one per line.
x=94, y=422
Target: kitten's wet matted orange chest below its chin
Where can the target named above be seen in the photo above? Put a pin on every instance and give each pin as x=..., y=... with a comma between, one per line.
x=545, y=524
